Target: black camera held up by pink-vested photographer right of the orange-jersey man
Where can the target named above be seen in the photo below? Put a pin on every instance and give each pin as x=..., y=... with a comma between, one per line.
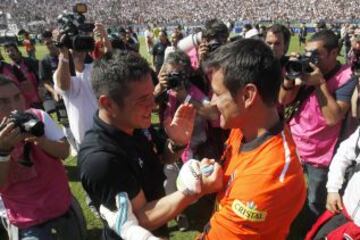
x=296, y=68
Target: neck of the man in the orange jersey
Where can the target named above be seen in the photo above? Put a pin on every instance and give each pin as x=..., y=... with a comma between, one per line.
x=260, y=124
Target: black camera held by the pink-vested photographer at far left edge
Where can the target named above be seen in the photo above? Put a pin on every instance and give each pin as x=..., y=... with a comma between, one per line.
x=28, y=123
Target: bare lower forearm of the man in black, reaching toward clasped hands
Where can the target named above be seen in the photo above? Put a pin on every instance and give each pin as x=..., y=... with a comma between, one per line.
x=157, y=213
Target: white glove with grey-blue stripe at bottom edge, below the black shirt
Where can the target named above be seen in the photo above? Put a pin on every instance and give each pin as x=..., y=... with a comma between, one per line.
x=123, y=221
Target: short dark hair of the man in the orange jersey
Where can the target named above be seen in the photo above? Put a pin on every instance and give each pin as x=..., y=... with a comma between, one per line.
x=248, y=61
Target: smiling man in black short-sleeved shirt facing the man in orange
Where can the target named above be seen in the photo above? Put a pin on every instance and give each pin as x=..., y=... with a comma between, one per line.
x=120, y=155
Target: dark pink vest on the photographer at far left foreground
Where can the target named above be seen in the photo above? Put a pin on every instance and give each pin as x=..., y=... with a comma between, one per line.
x=34, y=195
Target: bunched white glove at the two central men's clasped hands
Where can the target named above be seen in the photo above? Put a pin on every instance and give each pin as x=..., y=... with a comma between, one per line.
x=190, y=176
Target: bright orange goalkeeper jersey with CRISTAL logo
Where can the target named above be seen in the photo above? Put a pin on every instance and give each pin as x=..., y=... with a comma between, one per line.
x=264, y=188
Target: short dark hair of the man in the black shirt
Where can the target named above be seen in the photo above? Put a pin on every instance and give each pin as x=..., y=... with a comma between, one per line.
x=113, y=73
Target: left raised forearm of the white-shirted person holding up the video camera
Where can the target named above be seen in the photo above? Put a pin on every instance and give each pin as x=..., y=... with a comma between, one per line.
x=62, y=73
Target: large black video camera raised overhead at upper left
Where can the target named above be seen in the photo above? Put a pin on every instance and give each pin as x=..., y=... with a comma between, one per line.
x=73, y=29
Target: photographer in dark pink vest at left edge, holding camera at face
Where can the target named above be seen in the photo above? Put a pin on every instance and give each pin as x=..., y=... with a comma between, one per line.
x=33, y=182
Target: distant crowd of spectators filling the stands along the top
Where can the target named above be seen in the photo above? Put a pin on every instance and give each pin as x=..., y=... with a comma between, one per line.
x=112, y=12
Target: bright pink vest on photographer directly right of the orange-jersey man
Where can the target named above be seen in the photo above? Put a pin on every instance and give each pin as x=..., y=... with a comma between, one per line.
x=315, y=140
